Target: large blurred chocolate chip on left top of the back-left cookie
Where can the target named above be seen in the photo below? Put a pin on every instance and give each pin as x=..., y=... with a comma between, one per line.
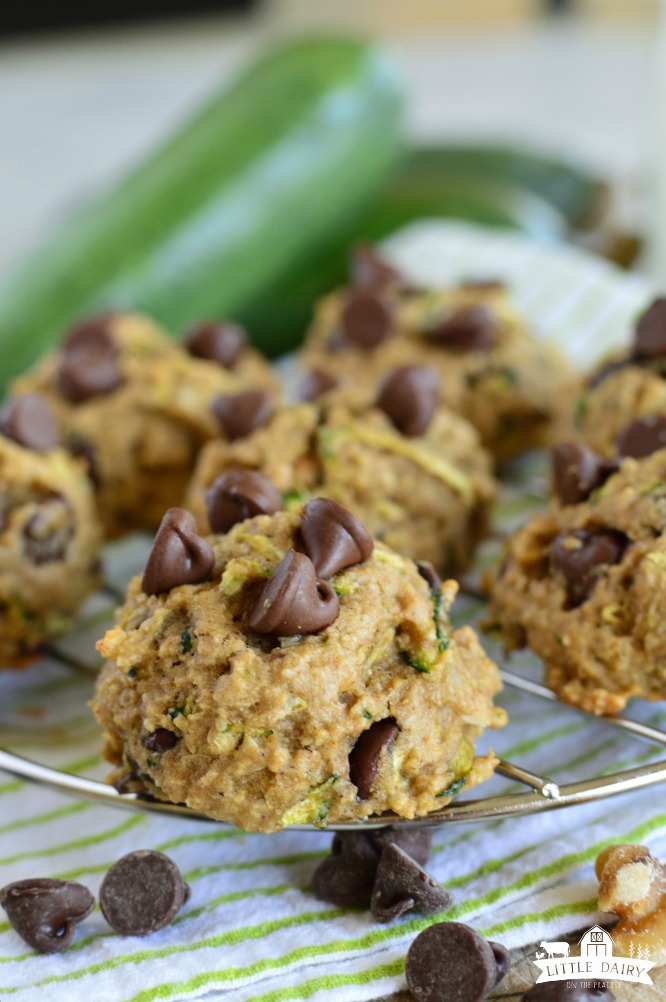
x=90, y=363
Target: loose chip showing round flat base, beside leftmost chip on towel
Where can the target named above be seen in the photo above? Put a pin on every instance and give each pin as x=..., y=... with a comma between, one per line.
x=143, y=893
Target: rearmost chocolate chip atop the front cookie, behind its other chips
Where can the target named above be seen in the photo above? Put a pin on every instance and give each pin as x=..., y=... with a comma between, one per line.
x=241, y=494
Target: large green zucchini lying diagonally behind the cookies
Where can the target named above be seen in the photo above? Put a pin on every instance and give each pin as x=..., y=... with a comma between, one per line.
x=274, y=169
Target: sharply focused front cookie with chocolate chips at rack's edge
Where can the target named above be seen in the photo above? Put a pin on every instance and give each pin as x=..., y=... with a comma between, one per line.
x=293, y=672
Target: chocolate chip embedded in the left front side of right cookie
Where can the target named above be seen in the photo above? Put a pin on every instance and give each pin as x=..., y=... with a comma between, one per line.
x=581, y=558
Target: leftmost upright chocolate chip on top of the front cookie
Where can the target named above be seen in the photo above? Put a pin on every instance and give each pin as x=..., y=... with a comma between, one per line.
x=179, y=555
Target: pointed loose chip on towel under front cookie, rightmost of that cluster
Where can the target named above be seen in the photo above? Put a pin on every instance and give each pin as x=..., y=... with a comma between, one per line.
x=401, y=885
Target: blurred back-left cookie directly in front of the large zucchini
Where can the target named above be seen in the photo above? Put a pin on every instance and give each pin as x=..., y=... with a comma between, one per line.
x=138, y=407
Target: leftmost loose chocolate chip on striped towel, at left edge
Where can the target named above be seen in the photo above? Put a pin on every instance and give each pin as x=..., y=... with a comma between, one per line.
x=46, y=912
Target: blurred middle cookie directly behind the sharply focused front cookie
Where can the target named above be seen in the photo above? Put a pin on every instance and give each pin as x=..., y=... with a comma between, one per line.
x=414, y=472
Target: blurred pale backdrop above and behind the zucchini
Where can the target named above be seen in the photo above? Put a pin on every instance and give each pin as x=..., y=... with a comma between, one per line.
x=88, y=90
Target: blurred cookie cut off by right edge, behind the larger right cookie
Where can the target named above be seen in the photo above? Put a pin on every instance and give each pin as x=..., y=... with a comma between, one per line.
x=623, y=411
